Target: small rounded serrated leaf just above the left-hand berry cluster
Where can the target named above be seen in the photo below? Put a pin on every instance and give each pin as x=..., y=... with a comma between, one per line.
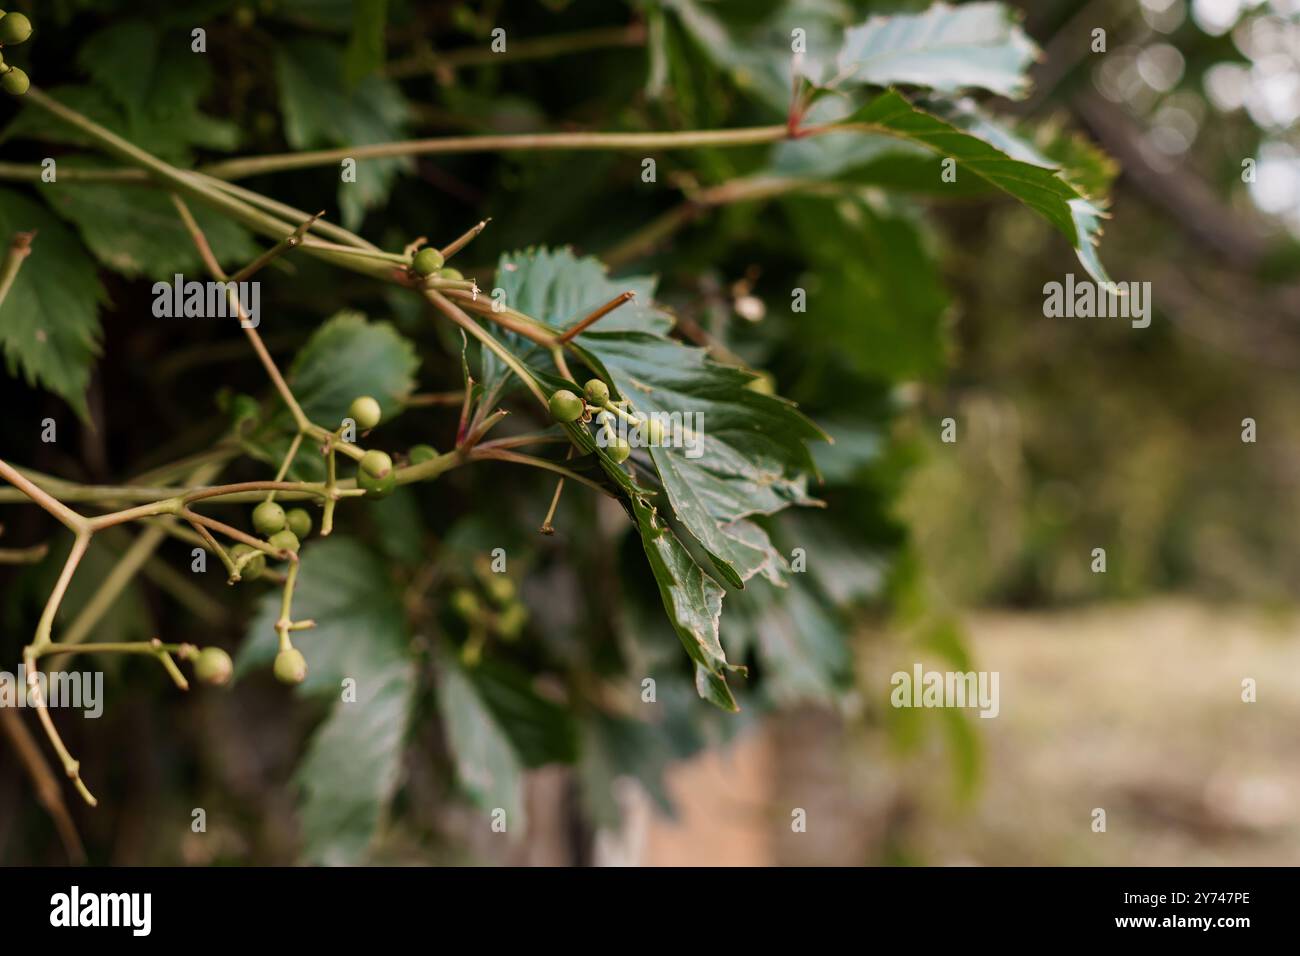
x=350, y=357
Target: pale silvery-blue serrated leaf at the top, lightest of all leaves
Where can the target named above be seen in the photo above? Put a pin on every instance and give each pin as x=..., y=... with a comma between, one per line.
x=946, y=49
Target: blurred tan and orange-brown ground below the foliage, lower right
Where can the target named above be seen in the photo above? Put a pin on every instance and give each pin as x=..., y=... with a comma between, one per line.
x=1132, y=708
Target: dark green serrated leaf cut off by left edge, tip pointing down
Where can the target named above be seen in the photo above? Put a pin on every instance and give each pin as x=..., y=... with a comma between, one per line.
x=50, y=318
